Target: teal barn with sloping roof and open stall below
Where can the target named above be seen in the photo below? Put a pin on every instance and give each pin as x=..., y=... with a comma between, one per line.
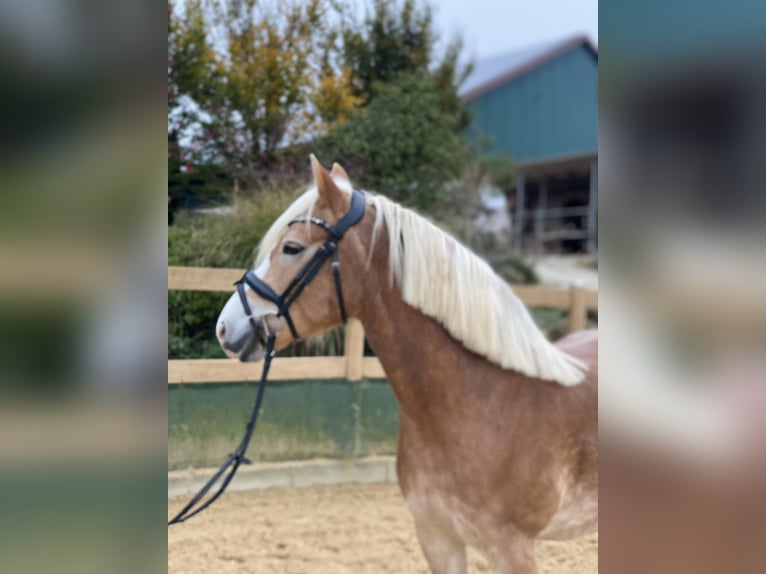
x=540, y=105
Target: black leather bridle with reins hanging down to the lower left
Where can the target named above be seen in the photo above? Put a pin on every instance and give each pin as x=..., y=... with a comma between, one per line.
x=306, y=275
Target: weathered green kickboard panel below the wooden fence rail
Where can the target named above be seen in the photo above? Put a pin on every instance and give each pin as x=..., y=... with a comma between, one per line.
x=299, y=419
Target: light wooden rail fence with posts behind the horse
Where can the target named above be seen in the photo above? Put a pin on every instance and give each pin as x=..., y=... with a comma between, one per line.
x=353, y=365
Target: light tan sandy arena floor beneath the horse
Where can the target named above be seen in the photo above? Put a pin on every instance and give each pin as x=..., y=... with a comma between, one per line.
x=349, y=529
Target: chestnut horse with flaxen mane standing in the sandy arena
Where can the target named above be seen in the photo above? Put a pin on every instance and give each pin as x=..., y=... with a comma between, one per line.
x=498, y=427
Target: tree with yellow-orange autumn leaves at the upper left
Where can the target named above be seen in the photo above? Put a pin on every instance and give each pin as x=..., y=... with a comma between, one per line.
x=256, y=77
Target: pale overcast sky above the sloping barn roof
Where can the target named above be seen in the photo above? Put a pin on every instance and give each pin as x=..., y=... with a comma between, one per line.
x=491, y=27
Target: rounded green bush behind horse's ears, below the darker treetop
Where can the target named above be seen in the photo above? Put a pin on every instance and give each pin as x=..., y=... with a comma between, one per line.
x=404, y=144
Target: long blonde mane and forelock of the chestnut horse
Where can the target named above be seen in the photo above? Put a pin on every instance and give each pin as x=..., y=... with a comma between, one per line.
x=446, y=281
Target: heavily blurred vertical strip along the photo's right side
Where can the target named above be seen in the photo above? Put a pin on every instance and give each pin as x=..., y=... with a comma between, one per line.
x=683, y=389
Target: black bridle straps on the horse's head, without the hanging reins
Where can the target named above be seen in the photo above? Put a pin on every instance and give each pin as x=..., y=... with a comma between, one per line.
x=308, y=272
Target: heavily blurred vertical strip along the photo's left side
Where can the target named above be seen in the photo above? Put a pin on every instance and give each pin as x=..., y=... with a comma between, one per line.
x=82, y=286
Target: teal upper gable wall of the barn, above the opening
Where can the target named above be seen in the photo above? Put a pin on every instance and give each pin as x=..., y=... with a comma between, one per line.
x=550, y=111
